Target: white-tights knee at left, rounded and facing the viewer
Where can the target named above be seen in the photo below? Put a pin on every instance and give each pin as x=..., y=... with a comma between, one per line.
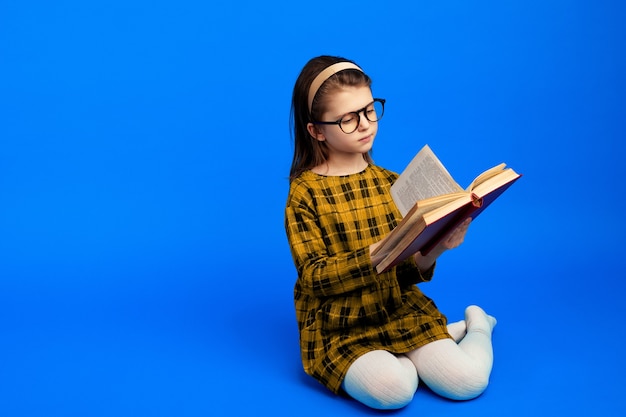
x=381, y=380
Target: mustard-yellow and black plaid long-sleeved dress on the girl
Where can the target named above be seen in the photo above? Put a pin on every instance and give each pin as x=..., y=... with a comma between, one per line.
x=344, y=308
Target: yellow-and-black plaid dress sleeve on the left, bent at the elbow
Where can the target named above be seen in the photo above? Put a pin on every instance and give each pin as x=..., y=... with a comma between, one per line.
x=319, y=273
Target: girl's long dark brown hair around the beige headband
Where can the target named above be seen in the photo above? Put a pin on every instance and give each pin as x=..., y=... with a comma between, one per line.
x=309, y=152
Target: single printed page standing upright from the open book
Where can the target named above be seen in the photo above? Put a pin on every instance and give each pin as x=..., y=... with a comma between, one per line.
x=424, y=177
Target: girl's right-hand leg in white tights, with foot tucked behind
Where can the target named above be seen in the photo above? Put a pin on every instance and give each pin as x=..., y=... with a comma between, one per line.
x=459, y=372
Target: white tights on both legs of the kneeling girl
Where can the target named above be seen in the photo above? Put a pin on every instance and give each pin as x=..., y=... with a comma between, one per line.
x=383, y=380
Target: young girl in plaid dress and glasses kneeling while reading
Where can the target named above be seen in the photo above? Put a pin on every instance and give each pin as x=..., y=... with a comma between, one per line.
x=371, y=335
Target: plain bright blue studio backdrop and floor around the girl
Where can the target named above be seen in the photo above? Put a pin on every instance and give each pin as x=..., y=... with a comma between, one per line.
x=144, y=157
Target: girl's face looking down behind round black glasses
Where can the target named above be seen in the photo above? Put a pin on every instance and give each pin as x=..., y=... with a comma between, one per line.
x=338, y=104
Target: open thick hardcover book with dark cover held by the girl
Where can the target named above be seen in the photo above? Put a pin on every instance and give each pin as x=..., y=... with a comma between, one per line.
x=433, y=204
